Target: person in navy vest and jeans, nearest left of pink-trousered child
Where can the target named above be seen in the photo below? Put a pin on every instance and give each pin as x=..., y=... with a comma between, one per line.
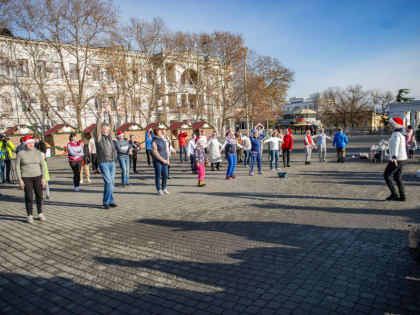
x=160, y=156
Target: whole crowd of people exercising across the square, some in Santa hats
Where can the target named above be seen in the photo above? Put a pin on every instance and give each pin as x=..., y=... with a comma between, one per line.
x=103, y=150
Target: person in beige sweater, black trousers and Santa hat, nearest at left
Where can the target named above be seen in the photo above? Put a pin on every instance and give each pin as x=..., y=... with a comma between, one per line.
x=30, y=170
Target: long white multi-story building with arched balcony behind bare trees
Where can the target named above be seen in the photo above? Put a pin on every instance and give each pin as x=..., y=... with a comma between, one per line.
x=44, y=84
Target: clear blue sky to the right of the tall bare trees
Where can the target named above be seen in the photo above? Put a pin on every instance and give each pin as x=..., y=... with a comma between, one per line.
x=326, y=43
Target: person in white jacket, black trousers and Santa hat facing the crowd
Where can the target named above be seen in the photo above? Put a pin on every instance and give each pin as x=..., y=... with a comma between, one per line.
x=398, y=155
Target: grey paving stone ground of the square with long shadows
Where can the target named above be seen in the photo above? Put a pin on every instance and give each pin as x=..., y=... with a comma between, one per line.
x=321, y=241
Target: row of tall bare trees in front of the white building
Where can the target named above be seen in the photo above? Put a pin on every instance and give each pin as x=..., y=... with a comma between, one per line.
x=79, y=42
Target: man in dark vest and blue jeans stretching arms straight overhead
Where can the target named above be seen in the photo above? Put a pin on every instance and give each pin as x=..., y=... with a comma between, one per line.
x=107, y=154
